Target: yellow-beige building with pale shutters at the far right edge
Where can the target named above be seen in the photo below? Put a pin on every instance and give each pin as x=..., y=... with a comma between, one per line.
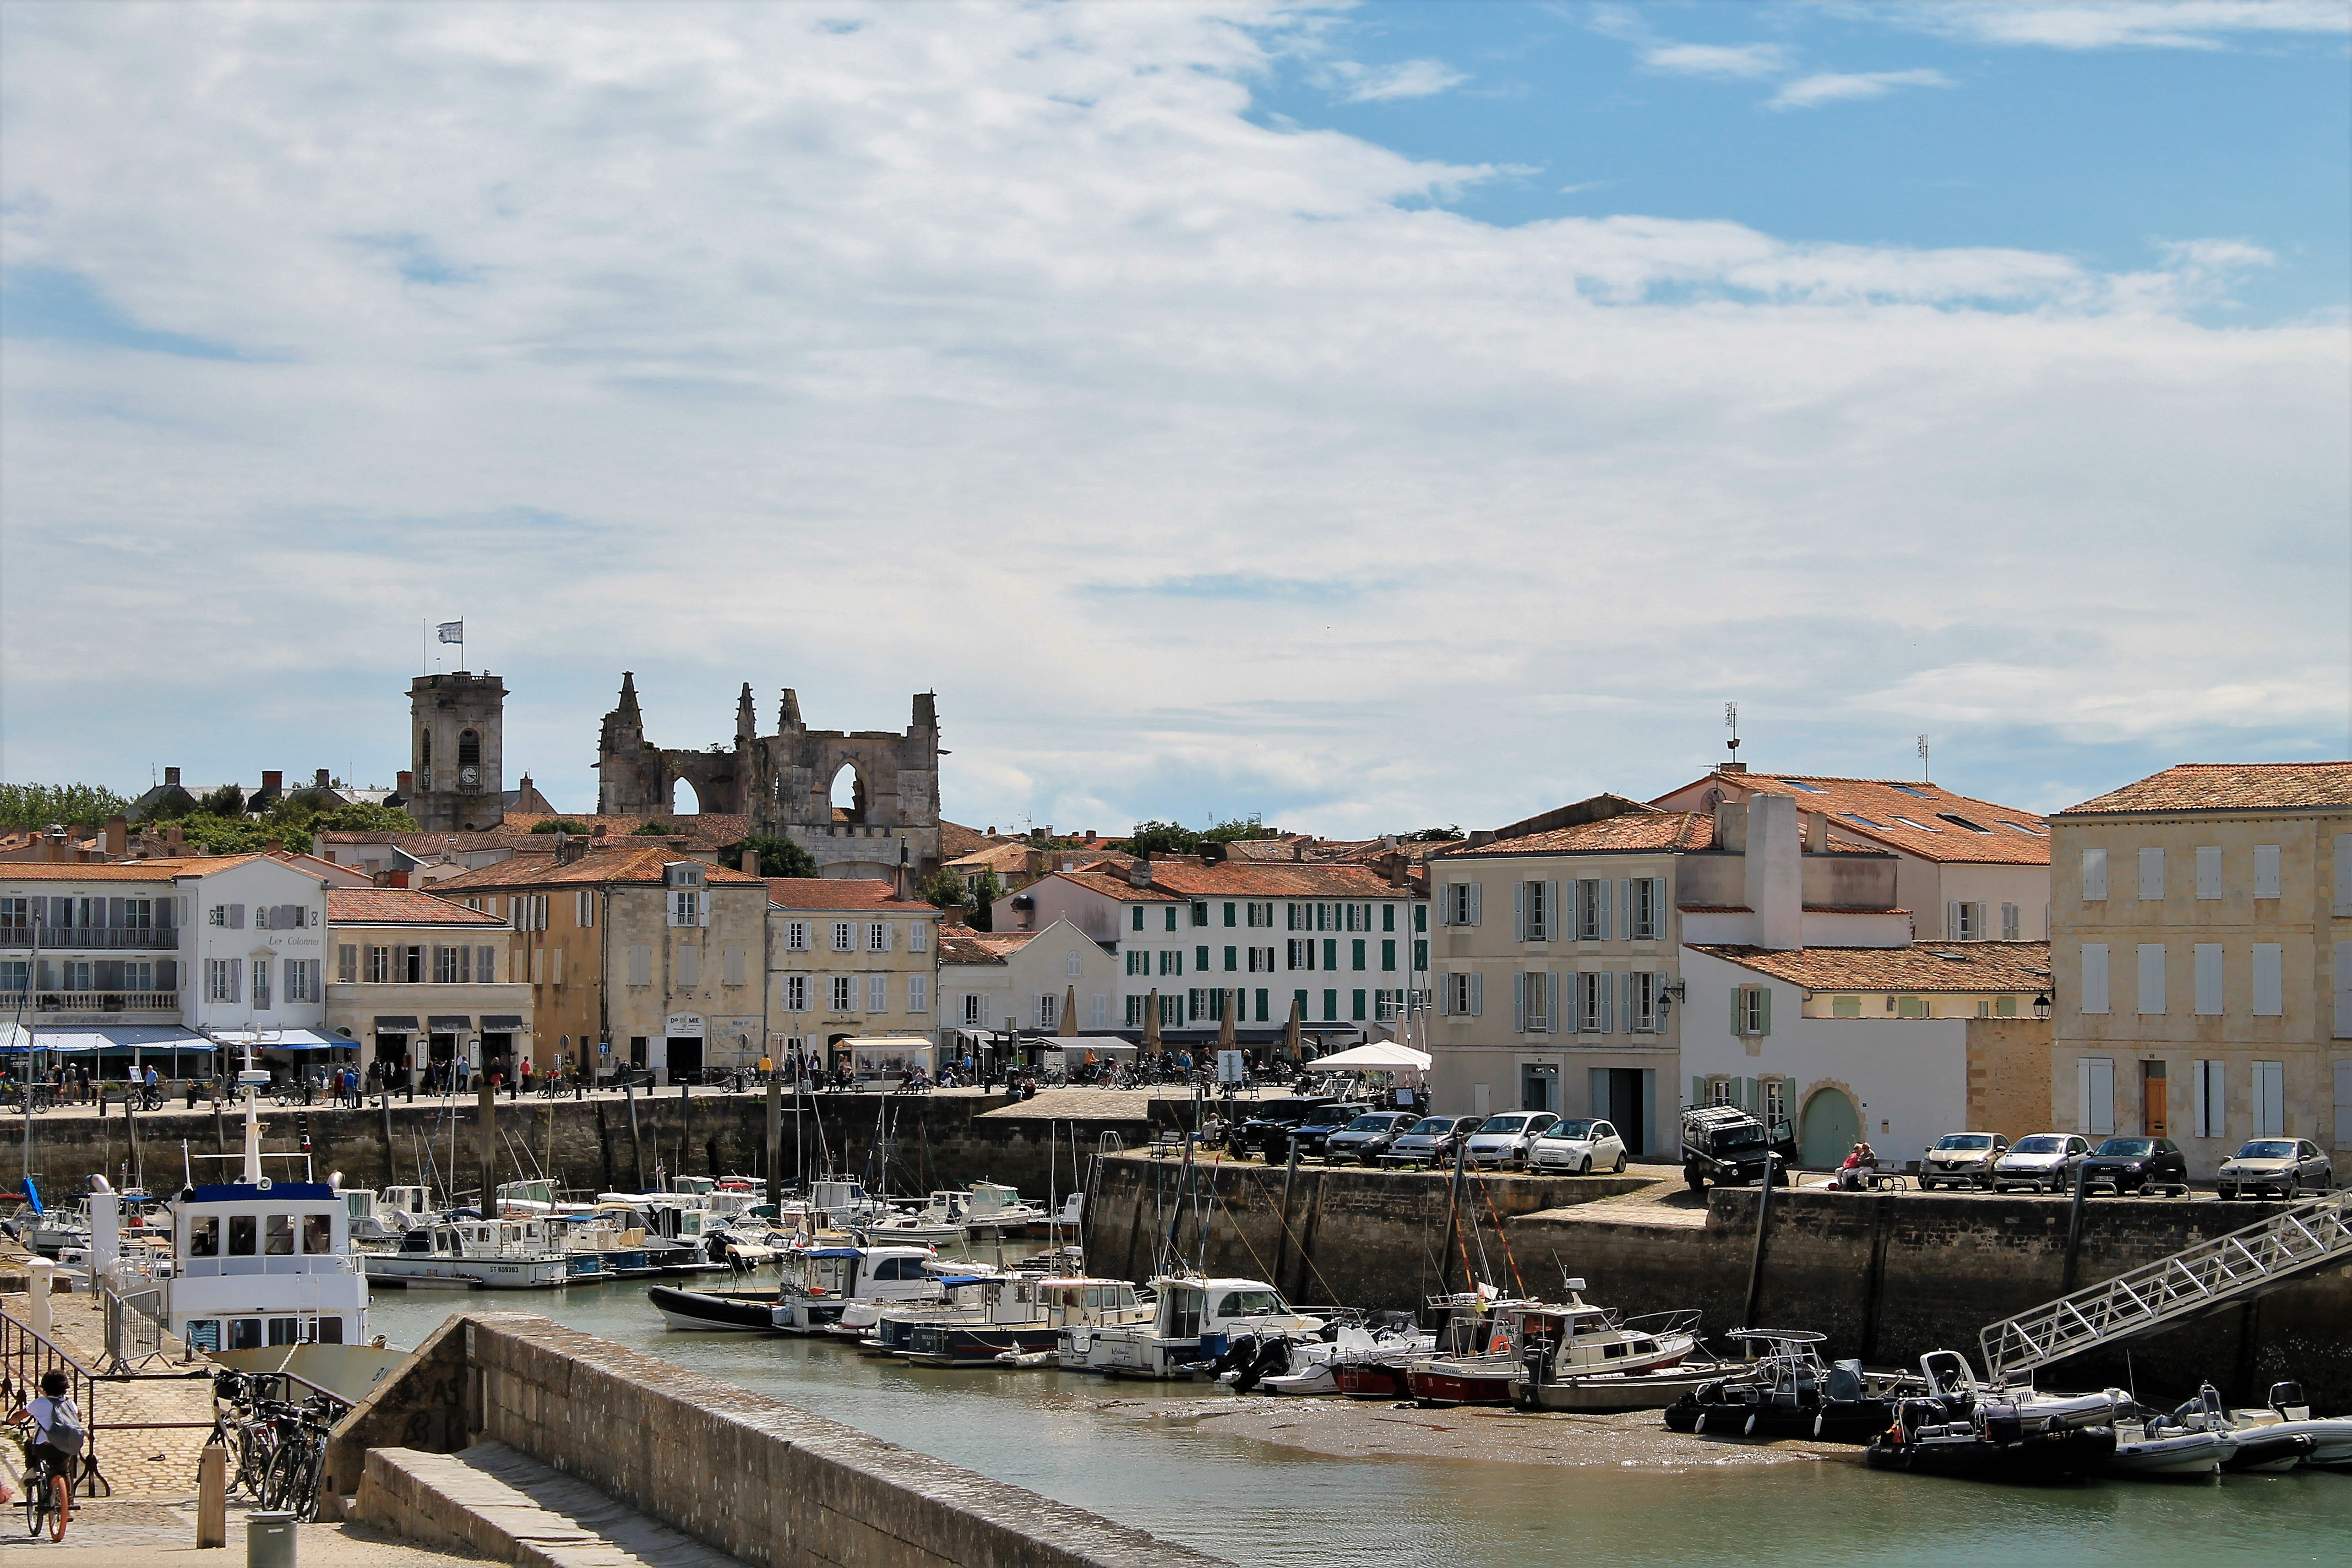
x=2203, y=958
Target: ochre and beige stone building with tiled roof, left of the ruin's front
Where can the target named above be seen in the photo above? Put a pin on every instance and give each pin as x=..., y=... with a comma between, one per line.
x=636, y=956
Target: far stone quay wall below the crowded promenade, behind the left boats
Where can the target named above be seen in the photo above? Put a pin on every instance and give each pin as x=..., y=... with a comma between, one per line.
x=935, y=1141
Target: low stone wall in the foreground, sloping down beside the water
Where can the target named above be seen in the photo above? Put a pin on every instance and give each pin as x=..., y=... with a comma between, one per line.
x=742, y=1473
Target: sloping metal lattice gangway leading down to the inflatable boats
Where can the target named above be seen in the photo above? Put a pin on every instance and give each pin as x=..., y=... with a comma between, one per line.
x=2196, y=1280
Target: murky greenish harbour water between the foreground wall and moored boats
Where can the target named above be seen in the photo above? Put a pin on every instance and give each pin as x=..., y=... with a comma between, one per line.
x=1278, y=1508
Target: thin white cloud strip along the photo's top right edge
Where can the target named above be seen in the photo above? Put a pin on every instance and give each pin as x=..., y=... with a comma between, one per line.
x=2144, y=25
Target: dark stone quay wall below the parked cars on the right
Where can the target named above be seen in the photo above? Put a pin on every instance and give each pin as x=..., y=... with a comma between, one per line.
x=1883, y=1275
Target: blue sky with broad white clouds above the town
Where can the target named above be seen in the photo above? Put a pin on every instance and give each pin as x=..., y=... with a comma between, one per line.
x=1356, y=415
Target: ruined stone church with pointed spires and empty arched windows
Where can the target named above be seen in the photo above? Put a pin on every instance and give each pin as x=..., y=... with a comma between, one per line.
x=784, y=784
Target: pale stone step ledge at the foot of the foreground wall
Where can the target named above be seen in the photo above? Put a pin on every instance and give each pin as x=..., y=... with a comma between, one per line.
x=500, y=1503
